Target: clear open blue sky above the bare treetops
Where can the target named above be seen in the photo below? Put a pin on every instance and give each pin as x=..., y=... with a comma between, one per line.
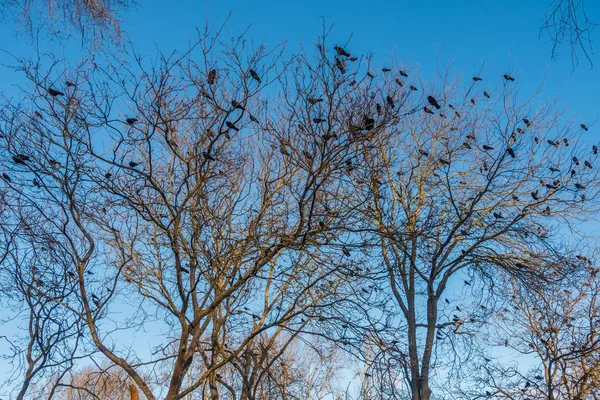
x=502, y=34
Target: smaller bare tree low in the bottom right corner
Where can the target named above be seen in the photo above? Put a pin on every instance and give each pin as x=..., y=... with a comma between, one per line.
x=557, y=328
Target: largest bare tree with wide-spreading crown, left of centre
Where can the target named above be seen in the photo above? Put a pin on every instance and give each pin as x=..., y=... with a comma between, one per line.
x=187, y=198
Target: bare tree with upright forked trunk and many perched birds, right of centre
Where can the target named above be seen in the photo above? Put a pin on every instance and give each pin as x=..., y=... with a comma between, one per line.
x=473, y=181
